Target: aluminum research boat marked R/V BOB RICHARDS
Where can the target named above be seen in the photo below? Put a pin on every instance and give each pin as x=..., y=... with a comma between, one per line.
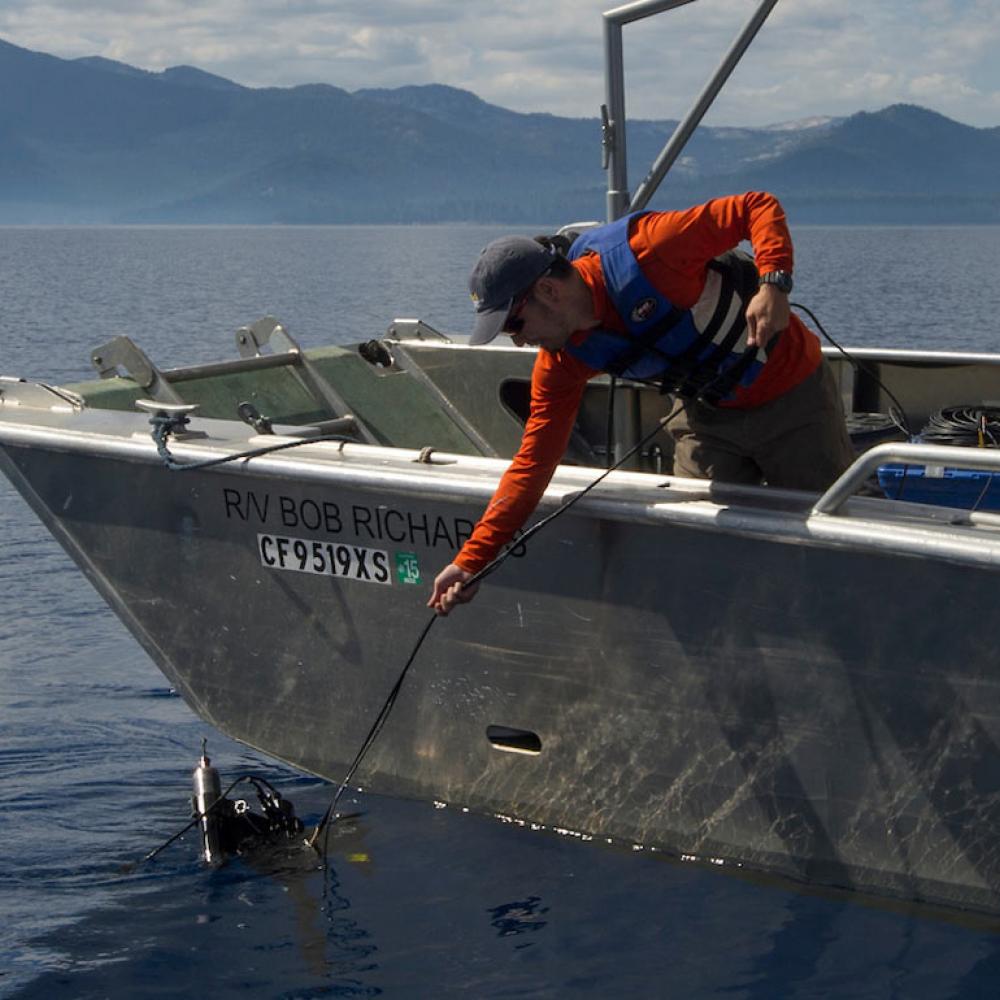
x=794, y=683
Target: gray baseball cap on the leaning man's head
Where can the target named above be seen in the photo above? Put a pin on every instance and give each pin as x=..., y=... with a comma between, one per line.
x=505, y=270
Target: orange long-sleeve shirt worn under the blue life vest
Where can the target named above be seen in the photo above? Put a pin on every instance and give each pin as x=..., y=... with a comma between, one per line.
x=673, y=249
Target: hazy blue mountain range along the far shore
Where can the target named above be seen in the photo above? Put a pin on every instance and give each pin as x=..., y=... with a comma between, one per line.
x=94, y=140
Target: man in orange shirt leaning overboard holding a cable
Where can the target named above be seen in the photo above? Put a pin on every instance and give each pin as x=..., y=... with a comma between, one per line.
x=657, y=296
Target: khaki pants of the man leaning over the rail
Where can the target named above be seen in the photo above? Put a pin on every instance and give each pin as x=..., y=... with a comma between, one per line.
x=797, y=441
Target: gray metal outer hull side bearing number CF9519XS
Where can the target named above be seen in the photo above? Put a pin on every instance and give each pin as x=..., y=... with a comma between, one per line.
x=792, y=704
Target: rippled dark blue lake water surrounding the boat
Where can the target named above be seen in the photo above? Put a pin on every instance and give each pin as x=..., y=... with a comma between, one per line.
x=96, y=750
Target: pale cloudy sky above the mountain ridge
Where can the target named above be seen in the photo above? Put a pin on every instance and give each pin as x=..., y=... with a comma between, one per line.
x=812, y=58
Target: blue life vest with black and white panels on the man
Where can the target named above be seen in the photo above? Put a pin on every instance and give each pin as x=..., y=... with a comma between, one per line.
x=692, y=352
